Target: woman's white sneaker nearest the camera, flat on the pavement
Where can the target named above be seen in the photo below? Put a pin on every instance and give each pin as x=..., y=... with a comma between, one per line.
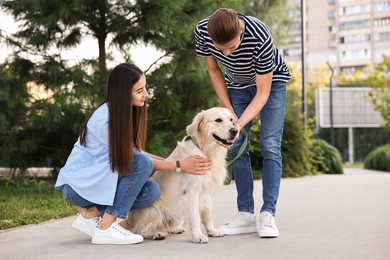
x=115, y=235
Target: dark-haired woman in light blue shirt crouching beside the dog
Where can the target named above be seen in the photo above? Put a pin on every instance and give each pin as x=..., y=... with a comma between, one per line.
x=107, y=173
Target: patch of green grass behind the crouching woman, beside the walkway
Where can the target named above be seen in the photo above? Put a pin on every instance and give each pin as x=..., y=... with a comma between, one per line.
x=30, y=202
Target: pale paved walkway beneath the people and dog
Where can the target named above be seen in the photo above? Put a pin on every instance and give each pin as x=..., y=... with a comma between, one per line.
x=319, y=217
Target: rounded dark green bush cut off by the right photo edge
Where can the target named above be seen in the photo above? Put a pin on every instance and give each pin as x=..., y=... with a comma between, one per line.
x=378, y=159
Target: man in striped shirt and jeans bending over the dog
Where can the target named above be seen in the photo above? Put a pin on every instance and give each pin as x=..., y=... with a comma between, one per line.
x=254, y=82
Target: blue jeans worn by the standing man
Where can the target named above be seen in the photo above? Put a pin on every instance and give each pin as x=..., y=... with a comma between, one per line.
x=271, y=131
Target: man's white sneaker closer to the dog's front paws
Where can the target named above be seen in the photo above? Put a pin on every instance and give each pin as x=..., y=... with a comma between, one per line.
x=239, y=225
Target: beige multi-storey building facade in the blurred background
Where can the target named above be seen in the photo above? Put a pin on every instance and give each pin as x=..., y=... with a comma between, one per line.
x=349, y=35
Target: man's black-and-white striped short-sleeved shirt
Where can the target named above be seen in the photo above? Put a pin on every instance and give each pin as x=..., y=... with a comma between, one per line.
x=256, y=54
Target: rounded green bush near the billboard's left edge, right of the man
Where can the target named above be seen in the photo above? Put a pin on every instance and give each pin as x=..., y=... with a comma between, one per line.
x=326, y=158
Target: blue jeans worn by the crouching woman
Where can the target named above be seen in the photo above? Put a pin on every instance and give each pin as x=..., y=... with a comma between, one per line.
x=134, y=191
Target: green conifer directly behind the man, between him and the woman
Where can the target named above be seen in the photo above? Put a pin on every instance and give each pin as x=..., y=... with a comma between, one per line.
x=183, y=83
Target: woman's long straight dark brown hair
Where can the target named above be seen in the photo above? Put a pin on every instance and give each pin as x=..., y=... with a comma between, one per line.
x=127, y=123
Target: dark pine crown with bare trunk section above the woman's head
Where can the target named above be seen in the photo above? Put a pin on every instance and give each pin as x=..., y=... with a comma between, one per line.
x=59, y=24
